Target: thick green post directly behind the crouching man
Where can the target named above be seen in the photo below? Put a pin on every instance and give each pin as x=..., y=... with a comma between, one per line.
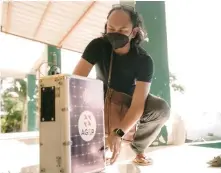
x=153, y=13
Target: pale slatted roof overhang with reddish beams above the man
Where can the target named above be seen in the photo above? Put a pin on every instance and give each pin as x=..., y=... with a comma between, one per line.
x=66, y=24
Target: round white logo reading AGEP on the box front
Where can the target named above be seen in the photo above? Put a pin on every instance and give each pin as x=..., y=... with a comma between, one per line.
x=87, y=126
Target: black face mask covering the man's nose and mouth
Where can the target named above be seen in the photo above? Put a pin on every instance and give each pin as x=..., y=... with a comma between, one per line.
x=117, y=40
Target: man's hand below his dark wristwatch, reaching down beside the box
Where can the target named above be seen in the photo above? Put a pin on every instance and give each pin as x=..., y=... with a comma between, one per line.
x=115, y=146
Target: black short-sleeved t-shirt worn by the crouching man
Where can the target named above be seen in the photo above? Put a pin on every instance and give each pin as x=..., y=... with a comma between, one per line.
x=134, y=66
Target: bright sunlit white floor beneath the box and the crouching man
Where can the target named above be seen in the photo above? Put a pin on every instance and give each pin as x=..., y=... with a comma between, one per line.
x=18, y=157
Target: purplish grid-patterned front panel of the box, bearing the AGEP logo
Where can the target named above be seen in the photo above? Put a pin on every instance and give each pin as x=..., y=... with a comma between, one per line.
x=87, y=129
